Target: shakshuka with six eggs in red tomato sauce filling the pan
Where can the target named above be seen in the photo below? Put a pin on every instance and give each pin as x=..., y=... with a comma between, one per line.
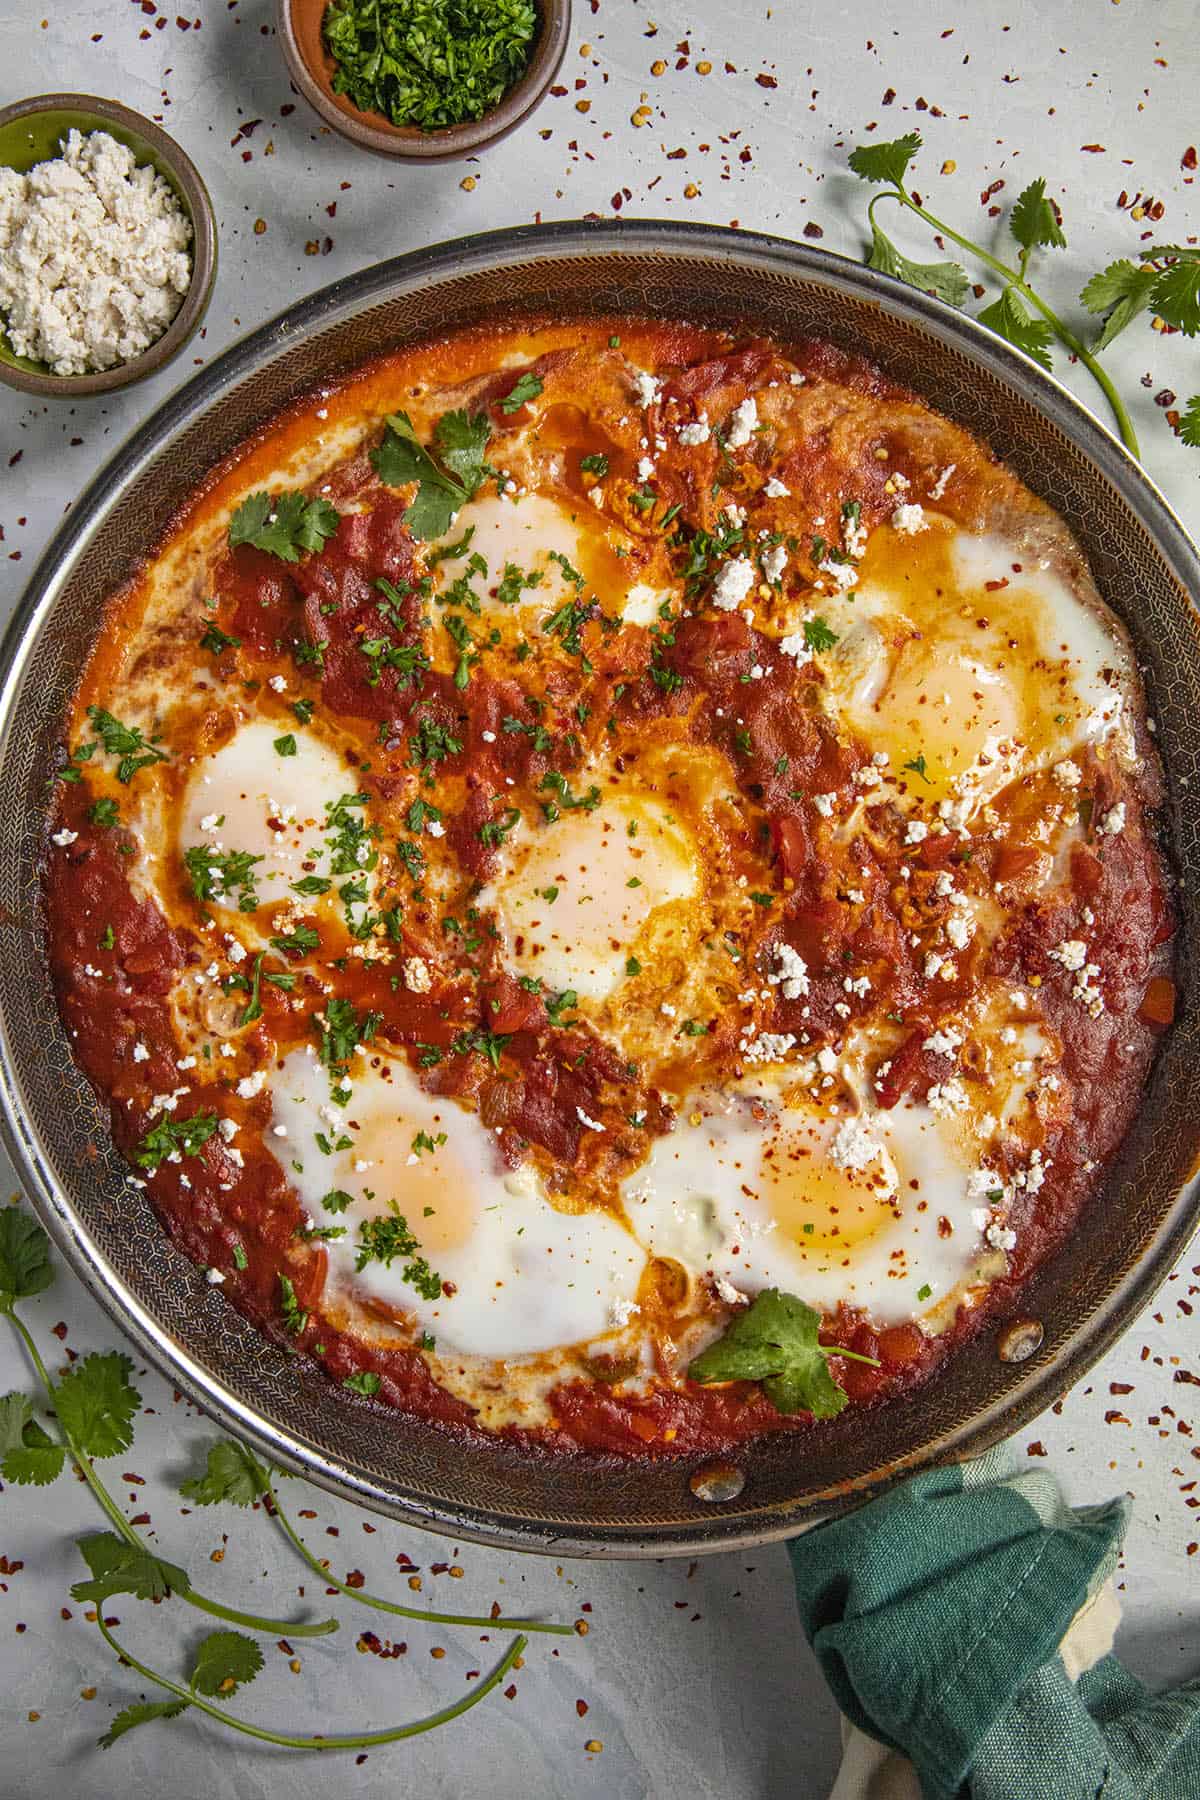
x=607, y=877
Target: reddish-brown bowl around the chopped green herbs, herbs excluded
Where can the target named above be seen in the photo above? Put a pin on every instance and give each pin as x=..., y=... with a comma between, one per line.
x=312, y=71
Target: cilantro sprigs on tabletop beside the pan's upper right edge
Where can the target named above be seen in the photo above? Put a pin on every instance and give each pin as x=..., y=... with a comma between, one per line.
x=1161, y=278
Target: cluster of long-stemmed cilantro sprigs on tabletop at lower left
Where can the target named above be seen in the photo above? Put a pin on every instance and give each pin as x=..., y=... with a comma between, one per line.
x=94, y=1407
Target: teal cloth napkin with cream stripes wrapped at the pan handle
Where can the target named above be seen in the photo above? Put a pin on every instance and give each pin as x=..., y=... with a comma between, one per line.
x=936, y=1614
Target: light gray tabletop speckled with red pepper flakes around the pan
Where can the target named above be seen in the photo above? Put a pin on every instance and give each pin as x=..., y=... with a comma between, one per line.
x=697, y=1678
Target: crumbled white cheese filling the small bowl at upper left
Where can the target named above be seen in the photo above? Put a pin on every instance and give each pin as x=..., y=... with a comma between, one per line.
x=94, y=256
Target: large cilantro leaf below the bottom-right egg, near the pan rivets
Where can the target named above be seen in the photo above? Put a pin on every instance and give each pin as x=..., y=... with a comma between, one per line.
x=776, y=1342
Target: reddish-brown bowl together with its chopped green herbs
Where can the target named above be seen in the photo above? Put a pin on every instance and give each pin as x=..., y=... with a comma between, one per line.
x=424, y=80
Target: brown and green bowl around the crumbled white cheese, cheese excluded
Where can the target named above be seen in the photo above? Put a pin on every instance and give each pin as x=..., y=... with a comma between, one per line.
x=31, y=132
